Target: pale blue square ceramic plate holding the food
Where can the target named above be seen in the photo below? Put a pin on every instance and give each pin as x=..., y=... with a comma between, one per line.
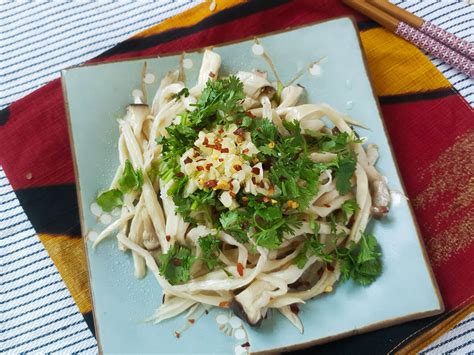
x=96, y=95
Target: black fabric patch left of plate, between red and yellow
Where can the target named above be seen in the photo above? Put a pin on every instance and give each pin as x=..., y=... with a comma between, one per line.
x=52, y=209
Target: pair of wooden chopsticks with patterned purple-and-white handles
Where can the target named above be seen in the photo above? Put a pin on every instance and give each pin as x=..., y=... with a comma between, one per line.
x=452, y=50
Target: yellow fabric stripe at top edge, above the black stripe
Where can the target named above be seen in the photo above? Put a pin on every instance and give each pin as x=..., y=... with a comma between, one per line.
x=189, y=17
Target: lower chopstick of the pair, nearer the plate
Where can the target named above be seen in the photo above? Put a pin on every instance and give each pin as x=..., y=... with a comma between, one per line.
x=414, y=36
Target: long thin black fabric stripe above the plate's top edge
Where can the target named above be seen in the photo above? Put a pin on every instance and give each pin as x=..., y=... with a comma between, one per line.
x=224, y=16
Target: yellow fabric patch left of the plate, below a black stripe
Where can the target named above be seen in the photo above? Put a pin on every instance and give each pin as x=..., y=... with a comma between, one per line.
x=68, y=256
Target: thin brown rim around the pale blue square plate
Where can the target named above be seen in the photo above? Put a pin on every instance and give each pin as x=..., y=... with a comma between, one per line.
x=297, y=346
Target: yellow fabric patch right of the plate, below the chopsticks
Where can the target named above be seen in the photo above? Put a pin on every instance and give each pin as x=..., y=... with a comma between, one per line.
x=398, y=67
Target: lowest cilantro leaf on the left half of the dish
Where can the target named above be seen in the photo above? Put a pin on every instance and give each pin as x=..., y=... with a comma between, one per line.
x=175, y=265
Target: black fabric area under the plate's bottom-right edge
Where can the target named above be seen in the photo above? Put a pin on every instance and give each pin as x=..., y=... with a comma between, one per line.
x=379, y=342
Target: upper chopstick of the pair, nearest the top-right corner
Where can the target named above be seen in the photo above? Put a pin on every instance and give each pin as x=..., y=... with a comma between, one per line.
x=458, y=44
